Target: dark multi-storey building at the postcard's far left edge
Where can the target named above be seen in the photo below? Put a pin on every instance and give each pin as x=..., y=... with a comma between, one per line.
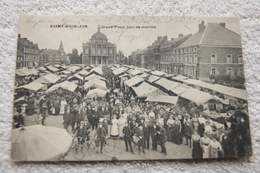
x=27, y=53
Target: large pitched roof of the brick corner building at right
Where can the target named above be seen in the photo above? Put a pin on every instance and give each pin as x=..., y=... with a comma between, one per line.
x=213, y=35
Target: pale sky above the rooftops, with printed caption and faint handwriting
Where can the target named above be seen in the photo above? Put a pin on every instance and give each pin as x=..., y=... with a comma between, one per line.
x=129, y=33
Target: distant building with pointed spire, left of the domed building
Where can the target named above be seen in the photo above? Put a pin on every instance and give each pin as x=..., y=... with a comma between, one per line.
x=53, y=56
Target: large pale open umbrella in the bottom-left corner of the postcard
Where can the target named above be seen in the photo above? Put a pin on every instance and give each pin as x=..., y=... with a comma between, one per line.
x=39, y=143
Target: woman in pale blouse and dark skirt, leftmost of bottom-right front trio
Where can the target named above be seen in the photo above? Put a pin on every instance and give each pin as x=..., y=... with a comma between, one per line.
x=195, y=144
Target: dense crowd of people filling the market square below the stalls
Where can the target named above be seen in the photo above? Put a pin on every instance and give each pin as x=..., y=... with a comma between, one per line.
x=149, y=125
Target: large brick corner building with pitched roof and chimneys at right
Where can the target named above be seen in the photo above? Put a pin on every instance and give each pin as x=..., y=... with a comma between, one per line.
x=214, y=49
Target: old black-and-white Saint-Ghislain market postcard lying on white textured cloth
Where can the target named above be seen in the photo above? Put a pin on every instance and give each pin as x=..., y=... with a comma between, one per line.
x=102, y=88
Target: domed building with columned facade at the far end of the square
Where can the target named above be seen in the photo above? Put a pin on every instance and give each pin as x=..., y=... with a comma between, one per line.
x=98, y=50
